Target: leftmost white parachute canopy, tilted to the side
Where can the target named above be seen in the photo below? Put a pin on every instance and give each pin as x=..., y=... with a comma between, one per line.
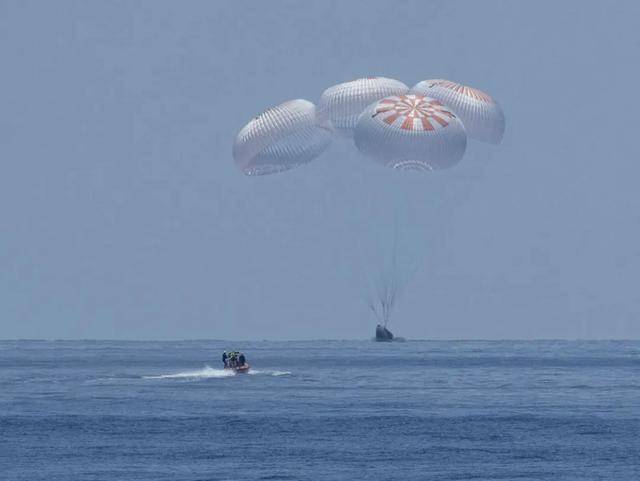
x=281, y=138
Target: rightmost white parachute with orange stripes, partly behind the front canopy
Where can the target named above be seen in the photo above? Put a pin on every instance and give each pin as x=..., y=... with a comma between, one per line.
x=482, y=117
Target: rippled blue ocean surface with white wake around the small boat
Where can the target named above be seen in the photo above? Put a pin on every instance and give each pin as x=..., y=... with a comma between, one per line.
x=320, y=410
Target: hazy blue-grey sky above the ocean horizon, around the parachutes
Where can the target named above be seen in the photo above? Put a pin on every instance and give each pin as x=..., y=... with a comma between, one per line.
x=122, y=214
